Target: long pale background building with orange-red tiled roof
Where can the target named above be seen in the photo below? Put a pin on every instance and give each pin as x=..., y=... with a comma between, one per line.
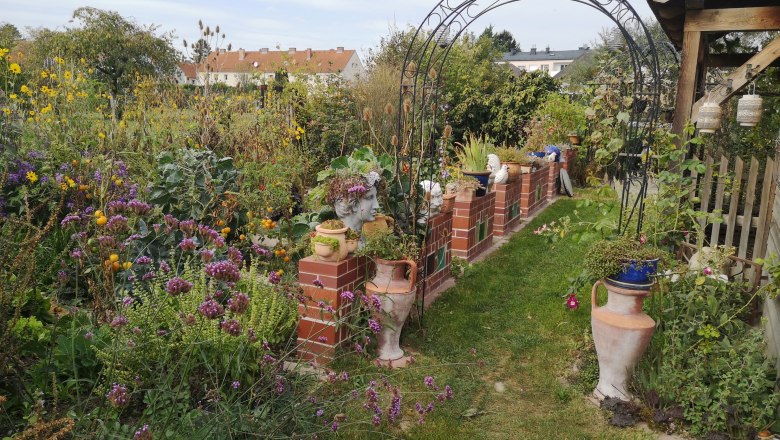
x=244, y=67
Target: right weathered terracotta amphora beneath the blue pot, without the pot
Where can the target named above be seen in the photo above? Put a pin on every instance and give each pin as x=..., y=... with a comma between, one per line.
x=621, y=334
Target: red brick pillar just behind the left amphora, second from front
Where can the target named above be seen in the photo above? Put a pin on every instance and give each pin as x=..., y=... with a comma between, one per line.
x=438, y=249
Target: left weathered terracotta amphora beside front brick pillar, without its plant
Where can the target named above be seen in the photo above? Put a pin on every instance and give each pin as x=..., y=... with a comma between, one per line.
x=397, y=294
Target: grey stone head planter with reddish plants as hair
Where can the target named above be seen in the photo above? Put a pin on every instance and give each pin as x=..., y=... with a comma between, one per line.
x=354, y=199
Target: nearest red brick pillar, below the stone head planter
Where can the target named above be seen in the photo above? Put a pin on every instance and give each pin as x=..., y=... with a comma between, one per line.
x=318, y=330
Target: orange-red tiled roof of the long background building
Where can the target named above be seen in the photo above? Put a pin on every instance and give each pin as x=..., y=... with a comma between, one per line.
x=311, y=61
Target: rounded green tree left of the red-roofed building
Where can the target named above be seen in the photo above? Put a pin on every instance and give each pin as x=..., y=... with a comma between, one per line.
x=116, y=47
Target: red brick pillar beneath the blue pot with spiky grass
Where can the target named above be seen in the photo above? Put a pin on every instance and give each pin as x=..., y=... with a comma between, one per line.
x=472, y=226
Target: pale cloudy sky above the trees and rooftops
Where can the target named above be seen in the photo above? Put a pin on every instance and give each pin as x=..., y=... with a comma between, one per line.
x=324, y=24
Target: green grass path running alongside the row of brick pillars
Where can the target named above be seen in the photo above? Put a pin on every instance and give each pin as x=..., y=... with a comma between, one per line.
x=510, y=309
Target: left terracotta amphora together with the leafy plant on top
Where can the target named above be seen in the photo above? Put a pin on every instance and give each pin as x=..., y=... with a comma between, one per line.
x=395, y=283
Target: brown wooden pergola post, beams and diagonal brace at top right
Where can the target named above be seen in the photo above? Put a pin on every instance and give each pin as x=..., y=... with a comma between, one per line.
x=692, y=24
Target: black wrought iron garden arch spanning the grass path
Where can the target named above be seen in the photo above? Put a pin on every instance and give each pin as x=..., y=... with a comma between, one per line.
x=423, y=72
